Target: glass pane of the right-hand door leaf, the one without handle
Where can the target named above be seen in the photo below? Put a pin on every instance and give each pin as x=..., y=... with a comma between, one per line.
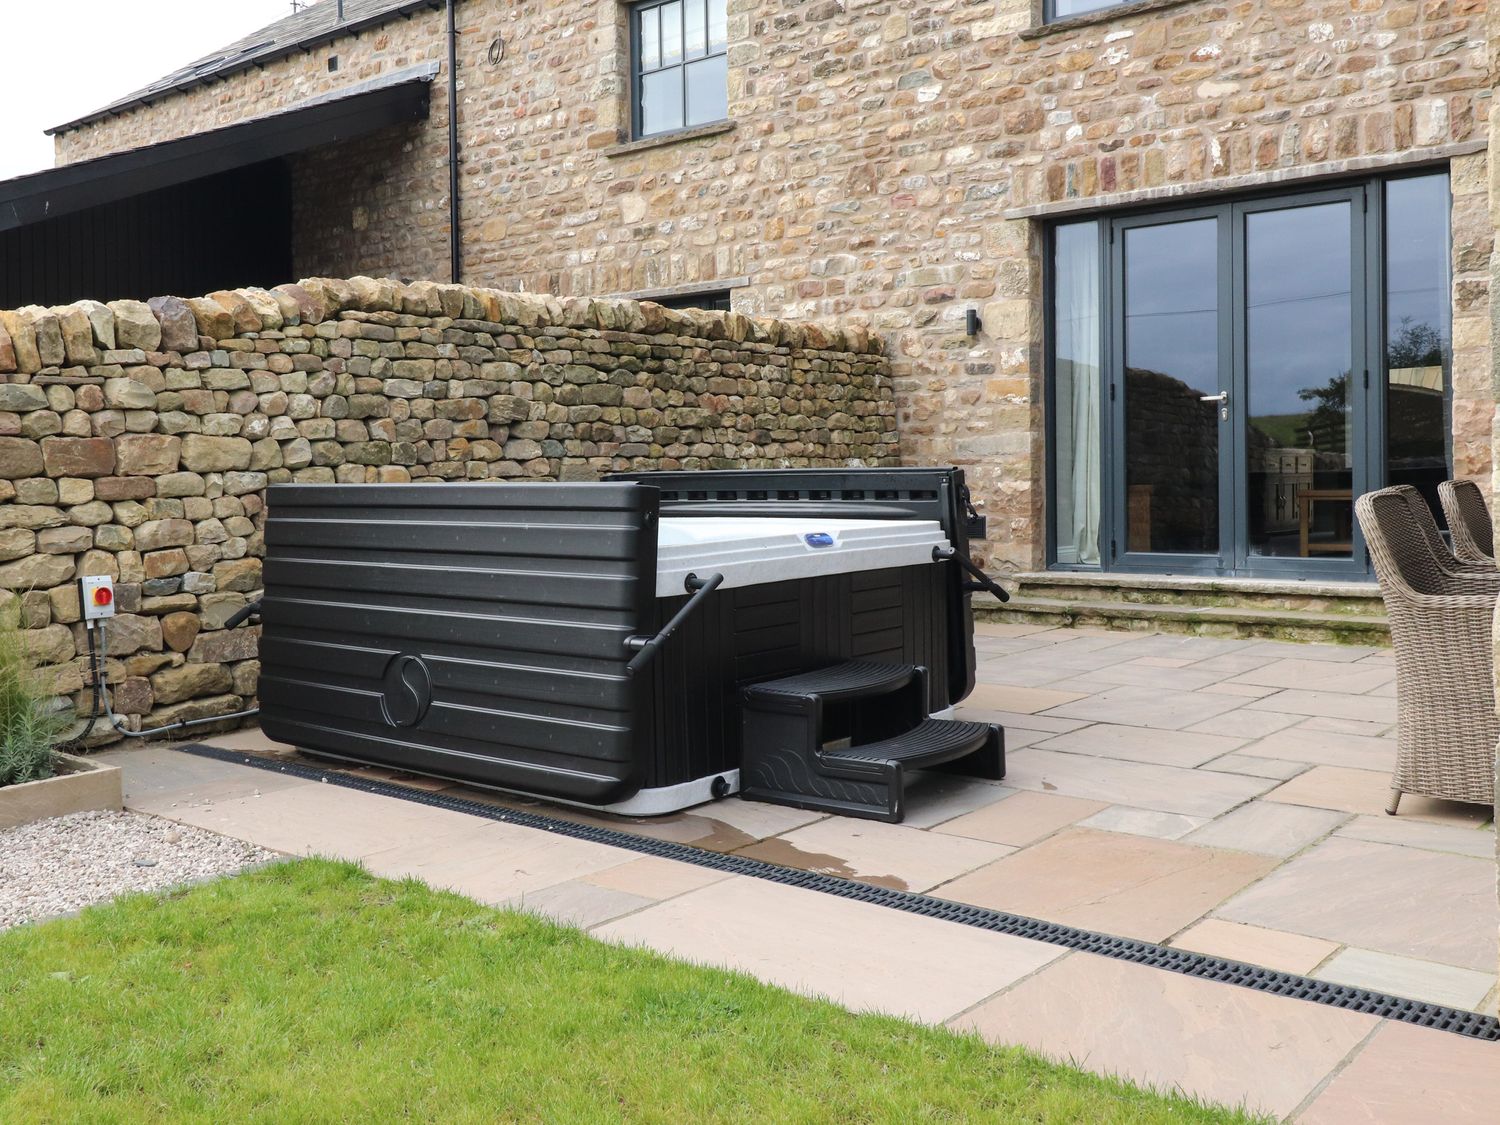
x=1298, y=346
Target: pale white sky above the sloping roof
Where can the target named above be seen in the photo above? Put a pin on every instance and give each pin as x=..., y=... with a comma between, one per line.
x=65, y=58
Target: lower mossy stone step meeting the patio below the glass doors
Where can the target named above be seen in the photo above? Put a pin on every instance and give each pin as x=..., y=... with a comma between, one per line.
x=1147, y=617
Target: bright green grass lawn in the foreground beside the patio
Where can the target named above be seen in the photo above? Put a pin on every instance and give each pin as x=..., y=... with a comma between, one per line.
x=311, y=992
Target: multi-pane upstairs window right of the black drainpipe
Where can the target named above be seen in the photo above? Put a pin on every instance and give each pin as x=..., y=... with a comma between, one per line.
x=680, y=65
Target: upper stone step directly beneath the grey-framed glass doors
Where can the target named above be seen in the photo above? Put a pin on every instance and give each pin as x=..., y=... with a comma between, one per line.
x=1355, y=599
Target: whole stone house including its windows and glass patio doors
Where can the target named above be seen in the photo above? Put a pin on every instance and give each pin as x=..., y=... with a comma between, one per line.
x=1045, y=208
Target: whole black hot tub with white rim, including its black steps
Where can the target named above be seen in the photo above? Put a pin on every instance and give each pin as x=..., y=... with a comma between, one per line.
x=641, y=644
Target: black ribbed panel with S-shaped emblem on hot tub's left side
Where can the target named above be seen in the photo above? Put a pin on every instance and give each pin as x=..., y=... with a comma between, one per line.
x=464, y=631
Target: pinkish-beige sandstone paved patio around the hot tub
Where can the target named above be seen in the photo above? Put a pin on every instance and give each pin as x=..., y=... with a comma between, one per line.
x=1210, y=794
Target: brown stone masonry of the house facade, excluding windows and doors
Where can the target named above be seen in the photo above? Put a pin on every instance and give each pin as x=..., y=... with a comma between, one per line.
x=889, y=163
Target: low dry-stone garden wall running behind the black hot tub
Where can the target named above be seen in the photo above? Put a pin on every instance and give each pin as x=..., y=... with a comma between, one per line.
x=137, y=440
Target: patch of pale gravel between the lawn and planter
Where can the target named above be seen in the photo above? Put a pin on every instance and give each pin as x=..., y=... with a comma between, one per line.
x=64, y=865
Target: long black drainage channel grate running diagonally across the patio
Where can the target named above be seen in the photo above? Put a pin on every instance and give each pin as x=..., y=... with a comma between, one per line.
x=1388, y=1007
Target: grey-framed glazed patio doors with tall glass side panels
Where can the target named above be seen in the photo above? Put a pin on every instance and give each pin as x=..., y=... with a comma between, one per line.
x=1214, y=407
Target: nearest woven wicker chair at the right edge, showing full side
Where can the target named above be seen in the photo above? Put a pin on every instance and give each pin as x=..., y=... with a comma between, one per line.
x=1442, y=626
